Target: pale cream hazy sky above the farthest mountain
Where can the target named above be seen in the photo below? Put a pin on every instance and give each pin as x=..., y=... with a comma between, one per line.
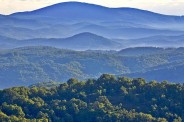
x=174, y=7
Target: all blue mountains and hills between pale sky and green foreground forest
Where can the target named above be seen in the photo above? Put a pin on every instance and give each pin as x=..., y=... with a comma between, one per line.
x=81, y=40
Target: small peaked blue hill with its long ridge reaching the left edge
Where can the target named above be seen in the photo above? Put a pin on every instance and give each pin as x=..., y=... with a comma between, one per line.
x=81, y=41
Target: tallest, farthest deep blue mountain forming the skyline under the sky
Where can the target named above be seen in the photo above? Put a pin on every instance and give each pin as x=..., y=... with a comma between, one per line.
x=84, y=11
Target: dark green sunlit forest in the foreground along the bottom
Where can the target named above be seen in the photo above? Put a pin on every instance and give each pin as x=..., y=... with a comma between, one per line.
x=107, y=98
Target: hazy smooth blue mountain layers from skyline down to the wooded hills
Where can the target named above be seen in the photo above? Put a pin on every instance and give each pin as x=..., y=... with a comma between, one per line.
x=120, y=27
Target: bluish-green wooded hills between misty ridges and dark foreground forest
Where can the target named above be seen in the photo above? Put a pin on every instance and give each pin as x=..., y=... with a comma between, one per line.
x=29, y=65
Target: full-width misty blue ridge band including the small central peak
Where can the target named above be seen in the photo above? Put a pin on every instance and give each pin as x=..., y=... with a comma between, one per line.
x=90, y=41
